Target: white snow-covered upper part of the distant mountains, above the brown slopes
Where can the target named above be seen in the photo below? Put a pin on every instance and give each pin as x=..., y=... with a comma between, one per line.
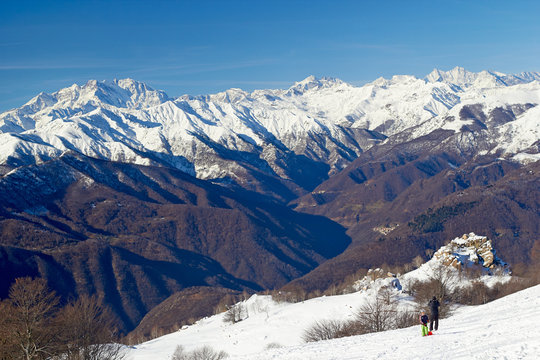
x=218, y=136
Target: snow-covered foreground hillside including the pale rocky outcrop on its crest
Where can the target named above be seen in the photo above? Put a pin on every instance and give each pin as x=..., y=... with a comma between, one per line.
x=503, y=329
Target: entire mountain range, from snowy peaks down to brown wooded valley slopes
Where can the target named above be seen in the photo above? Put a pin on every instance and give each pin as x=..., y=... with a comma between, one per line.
x=117, y=189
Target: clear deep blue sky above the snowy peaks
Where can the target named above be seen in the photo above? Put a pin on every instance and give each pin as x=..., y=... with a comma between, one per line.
x=201, y=47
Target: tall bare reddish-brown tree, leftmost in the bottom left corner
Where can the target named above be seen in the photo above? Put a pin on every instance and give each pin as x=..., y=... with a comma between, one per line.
x=28, y=318
